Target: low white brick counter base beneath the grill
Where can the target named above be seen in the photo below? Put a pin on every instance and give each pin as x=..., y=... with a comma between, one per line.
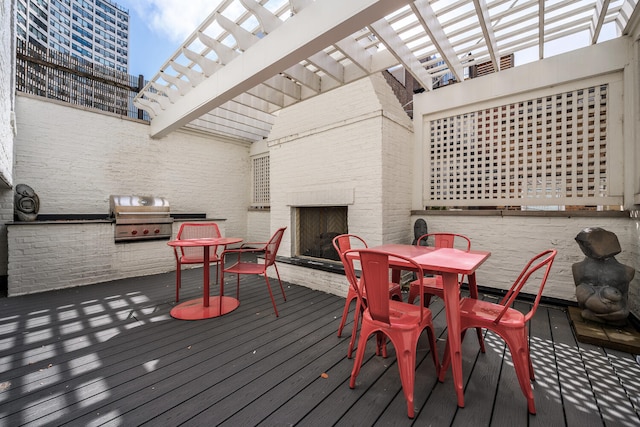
x=46, y=256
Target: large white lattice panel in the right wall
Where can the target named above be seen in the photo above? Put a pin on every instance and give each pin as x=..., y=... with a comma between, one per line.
x=535, y=152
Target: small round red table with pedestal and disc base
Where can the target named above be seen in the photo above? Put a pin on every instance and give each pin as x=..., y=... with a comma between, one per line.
x=205, y=307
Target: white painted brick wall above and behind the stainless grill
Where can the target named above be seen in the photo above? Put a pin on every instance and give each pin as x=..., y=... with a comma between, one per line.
x=74, y=159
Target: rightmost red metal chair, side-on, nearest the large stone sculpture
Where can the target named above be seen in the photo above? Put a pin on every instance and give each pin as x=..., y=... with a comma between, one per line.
x=508, y=322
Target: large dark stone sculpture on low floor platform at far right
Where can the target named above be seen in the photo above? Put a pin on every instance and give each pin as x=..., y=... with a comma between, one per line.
x=602, y=283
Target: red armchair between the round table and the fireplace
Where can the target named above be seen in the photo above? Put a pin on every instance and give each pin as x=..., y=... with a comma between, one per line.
x=269, y=249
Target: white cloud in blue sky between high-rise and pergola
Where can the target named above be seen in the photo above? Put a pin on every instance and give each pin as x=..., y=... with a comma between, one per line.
x=174, y=20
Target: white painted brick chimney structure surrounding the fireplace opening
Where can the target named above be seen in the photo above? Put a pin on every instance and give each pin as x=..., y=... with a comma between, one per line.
x=356, y=138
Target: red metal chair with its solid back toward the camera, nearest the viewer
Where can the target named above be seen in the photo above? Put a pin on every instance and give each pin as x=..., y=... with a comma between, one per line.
x=402, y=323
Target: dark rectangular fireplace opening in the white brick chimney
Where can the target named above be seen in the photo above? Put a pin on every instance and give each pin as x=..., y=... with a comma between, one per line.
x=316, y=227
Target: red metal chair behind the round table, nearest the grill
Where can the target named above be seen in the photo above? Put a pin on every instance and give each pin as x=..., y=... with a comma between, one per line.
x=195, y=255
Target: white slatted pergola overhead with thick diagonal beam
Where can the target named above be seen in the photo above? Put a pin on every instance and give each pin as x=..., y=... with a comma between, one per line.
x=251, y=58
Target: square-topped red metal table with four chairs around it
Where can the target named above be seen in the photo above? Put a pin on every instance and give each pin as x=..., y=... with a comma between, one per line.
x=448, y=263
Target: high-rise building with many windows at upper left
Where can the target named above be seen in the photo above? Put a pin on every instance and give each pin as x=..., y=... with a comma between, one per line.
x=94, y=30
